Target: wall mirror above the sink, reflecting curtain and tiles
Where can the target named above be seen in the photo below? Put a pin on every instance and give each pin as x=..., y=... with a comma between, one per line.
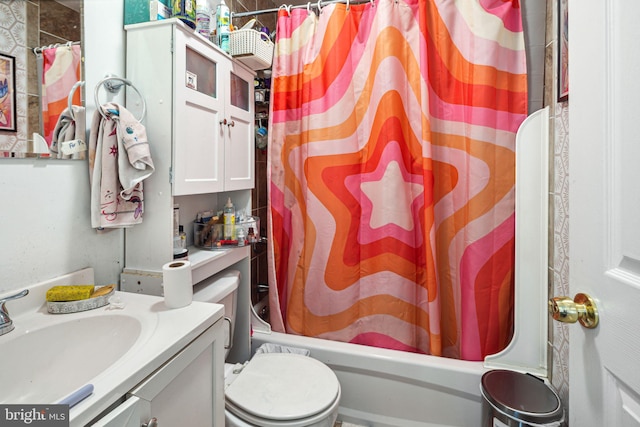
x=33, y=26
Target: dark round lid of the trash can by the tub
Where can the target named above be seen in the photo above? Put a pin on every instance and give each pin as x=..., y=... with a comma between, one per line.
x=522, y=397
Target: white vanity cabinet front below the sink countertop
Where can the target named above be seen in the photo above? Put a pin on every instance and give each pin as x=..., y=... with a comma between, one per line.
x=187, y=390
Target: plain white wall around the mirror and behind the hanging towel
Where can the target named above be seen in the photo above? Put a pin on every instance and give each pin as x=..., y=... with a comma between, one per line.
x=45, y=230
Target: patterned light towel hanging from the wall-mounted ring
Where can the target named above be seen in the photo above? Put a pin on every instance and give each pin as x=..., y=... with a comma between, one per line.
x=119, y=162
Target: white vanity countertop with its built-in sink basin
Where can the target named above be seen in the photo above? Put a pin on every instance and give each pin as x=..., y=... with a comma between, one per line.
x=113, y=348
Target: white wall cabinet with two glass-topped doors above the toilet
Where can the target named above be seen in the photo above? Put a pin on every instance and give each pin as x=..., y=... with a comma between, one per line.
x=199, y=99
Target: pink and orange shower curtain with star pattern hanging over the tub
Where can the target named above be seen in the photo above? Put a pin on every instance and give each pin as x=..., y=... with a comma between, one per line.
x=391, y=173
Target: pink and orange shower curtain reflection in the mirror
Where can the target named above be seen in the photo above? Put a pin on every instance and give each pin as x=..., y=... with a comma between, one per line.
x=60, y=71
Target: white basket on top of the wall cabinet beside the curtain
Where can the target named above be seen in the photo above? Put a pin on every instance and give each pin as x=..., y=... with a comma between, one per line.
x=252, y=48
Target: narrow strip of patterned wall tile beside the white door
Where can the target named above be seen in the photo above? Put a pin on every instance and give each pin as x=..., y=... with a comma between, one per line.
x=559, y=207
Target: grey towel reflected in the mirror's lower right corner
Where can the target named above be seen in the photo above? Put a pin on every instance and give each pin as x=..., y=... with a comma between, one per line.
x=69, y=135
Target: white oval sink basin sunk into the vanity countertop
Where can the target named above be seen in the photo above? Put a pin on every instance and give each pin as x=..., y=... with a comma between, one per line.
x=63, y=357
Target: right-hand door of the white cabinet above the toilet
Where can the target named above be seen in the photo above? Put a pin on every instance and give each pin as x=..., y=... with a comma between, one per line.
x=239, y=163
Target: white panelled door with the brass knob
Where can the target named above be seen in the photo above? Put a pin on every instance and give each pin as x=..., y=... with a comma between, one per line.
x=604, y=203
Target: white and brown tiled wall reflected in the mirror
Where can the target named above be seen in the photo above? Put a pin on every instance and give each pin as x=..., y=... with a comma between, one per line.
x=25, y=25
